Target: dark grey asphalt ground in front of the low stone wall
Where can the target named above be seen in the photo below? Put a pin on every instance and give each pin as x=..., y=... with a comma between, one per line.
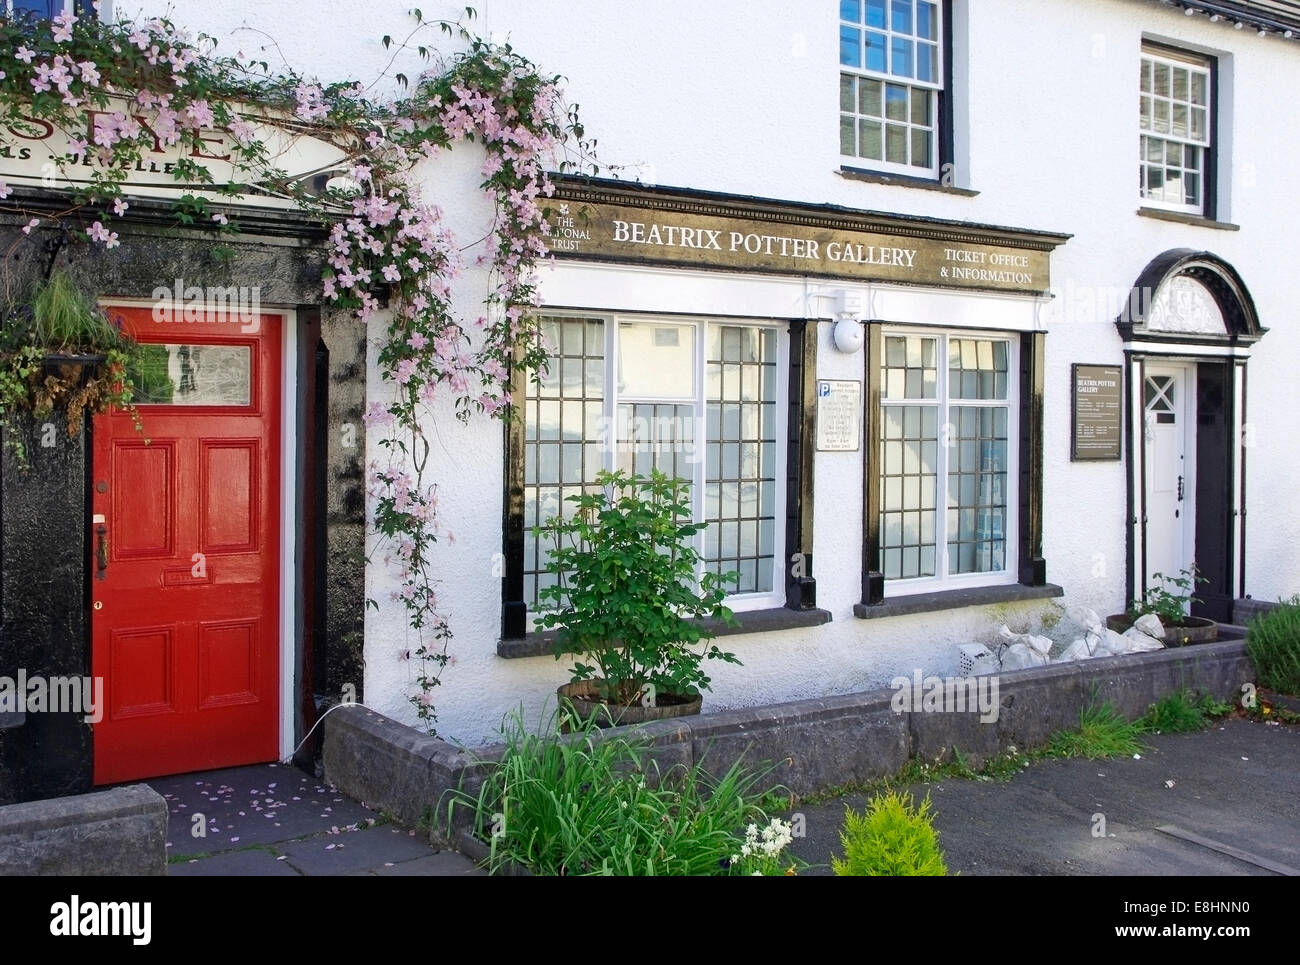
x=1224, y=802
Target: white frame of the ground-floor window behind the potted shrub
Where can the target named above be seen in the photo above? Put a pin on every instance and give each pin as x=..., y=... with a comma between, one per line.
x=740, y=603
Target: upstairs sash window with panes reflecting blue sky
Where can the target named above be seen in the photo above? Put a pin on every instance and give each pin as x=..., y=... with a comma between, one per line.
x=891, y=83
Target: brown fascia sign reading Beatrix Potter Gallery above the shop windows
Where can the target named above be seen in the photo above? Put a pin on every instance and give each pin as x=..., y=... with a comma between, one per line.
x=595, y=230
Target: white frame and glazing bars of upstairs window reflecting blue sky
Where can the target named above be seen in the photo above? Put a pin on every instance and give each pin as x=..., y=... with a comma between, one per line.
x=934, y=88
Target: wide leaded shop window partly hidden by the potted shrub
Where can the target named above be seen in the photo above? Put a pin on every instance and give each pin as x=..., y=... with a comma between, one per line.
x=696, y=400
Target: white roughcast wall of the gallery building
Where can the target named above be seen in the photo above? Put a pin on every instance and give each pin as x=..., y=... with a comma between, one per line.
x=743, y=98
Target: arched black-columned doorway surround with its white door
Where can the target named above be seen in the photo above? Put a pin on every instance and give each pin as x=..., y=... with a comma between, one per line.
x=1189, y=327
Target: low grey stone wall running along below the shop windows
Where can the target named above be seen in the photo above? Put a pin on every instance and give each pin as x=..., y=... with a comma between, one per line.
x=816, y=745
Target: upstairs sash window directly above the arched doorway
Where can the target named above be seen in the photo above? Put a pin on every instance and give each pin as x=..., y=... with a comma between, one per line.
x=1177, y=122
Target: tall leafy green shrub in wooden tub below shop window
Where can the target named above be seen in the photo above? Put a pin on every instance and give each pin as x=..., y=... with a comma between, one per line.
x=629, y=600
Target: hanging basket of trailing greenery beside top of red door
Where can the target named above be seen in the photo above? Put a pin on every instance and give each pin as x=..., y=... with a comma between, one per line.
x=62, y=352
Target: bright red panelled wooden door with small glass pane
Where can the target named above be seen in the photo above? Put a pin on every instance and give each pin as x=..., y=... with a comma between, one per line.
x=185, y=565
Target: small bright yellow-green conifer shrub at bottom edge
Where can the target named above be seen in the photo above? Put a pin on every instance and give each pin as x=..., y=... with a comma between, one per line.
x=891, y=838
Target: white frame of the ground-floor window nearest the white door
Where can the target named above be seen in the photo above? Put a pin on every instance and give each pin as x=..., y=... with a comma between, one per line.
x=942, y=579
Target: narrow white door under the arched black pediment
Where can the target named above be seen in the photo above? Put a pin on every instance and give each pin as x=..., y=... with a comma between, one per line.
x=1171, y=434
